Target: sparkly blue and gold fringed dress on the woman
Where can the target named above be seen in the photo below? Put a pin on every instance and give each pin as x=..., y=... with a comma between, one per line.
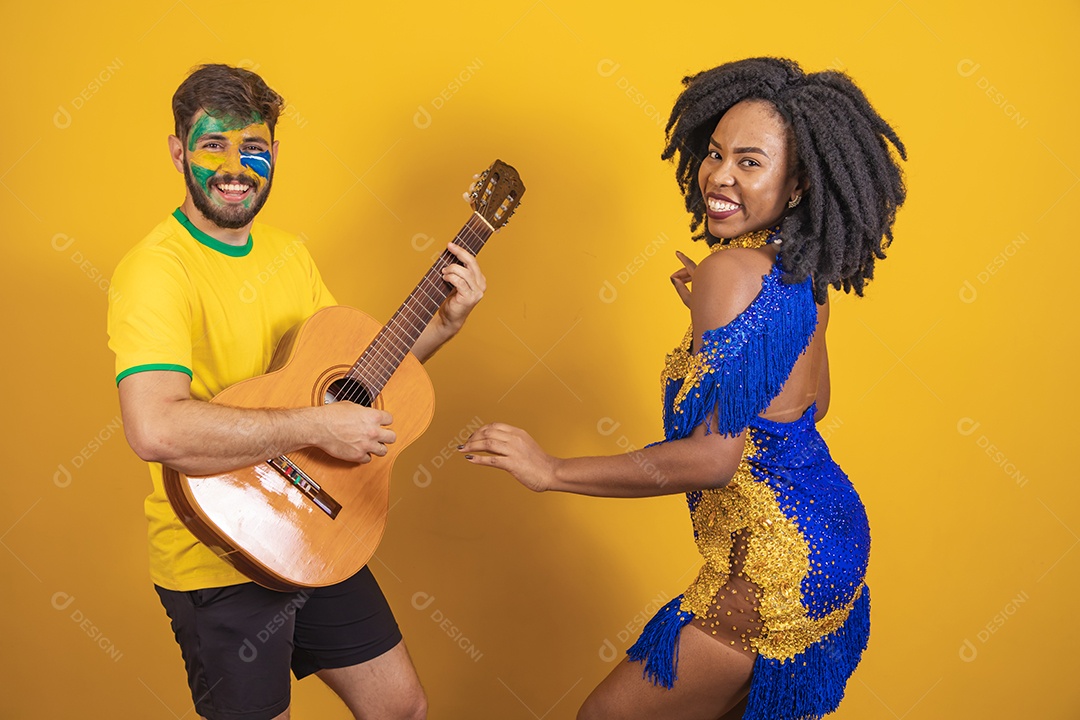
x=787, y=542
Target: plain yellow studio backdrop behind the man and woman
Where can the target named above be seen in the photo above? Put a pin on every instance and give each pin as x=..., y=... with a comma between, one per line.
x=954, y=386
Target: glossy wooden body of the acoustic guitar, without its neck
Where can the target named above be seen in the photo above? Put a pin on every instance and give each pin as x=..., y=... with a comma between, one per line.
x=266, y=521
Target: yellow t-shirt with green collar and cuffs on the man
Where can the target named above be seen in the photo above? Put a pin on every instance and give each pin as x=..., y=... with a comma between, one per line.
x=184, y=302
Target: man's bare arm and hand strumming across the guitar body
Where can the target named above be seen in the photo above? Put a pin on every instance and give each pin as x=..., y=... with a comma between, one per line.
x=164, y=424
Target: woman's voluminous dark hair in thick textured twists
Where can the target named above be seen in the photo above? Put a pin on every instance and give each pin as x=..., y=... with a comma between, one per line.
x=854, y=183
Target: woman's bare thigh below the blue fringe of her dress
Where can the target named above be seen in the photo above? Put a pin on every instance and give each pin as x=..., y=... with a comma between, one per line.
x=713, y=680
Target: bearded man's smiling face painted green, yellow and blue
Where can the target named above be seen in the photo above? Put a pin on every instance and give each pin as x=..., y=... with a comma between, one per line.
x=229, y=167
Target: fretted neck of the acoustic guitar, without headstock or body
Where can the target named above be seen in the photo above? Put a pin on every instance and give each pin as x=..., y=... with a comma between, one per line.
x=397, y=338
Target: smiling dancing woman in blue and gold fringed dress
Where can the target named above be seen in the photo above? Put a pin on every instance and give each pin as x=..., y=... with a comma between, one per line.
x=793, y=180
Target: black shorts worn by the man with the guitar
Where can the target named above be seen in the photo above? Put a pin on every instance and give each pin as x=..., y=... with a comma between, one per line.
x=239, y=642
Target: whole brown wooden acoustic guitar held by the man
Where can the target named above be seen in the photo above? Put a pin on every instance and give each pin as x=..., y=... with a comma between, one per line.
x=306, y=519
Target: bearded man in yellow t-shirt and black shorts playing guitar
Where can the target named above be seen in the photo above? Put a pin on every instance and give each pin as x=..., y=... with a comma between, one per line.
x=195, y=311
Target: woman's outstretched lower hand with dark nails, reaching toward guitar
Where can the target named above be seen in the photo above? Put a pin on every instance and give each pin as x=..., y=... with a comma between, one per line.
x=514, y=451
